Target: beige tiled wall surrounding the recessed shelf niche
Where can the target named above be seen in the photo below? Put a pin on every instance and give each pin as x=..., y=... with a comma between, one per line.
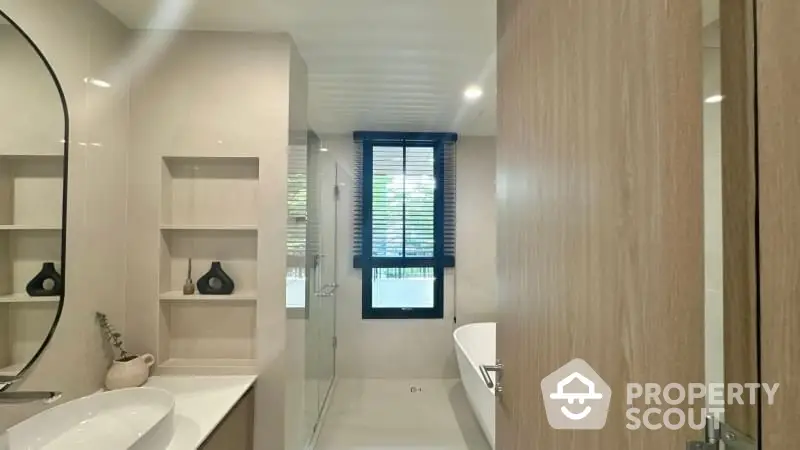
x=217, y=94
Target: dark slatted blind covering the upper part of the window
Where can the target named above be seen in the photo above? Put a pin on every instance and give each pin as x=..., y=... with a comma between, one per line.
x=405, y=177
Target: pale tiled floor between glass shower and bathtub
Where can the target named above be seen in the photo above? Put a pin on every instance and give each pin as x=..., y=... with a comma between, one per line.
x=387, y=415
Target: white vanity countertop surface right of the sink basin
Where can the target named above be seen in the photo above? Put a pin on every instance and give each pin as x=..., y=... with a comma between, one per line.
x=201, y=402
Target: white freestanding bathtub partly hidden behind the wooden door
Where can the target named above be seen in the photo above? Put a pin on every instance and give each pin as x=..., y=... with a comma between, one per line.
x=475, y=346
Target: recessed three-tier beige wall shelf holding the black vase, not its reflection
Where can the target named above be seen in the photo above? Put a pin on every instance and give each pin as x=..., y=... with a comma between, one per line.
x=208, y=213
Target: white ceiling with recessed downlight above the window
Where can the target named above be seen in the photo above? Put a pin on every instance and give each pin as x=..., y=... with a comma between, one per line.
x=395, y=65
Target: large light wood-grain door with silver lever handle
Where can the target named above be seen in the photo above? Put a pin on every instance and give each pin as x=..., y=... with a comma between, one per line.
x=600, y=225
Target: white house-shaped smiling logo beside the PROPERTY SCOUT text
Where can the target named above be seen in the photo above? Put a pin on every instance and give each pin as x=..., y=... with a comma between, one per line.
x=576, y=398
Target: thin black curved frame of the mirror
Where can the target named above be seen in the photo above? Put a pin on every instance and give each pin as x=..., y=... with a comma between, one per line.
x=49, y=337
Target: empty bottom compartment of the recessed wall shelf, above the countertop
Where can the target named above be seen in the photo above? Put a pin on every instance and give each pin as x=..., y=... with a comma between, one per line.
x=199, y=337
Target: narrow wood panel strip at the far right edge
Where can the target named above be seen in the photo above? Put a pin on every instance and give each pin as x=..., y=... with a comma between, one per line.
x=778, y=71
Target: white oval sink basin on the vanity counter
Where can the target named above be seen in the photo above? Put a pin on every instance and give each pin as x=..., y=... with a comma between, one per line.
x=136, y=418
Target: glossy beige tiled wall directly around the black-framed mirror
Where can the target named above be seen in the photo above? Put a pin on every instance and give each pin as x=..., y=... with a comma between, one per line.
x=82, y=40
